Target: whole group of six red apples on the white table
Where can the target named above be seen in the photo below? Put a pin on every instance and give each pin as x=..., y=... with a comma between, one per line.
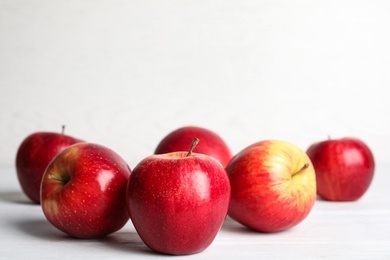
x=178, y=198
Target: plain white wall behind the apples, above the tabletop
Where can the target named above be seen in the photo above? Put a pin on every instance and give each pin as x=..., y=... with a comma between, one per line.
x=126, y=73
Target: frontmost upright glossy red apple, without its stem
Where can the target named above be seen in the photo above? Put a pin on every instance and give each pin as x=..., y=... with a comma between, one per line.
x=177, y=203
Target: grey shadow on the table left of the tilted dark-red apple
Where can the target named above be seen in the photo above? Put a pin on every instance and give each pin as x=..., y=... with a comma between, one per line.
x=39, y=228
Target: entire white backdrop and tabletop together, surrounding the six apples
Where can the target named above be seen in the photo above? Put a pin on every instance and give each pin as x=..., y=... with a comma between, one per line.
x=125, y=73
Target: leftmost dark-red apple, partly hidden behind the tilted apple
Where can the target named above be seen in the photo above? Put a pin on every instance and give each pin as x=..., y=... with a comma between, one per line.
x=33, y=156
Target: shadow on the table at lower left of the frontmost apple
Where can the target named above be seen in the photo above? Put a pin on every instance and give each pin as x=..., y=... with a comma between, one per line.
x=126, y=241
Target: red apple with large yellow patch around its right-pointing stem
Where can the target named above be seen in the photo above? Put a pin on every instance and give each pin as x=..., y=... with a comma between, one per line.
x=270, y=192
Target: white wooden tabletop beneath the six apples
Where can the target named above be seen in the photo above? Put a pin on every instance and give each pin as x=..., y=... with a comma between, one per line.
x=353, y=230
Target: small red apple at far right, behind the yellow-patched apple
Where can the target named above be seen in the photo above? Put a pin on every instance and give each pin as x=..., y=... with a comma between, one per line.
x=344, y=168
